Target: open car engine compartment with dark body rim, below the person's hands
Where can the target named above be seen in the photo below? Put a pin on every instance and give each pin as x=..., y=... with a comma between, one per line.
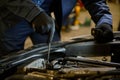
x=68, y=61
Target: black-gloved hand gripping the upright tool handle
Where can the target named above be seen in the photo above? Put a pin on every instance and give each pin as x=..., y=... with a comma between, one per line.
x=43, y=23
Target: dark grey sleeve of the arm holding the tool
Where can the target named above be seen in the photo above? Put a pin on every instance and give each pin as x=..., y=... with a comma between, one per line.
x=23, y=8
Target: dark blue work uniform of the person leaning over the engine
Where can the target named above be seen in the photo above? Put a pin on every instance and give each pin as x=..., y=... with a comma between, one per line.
x=15, y=37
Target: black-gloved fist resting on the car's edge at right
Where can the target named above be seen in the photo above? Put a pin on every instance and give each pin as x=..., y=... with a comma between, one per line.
x=102, y=33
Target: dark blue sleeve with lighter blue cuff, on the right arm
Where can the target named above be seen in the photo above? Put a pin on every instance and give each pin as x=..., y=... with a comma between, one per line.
x=99, y=11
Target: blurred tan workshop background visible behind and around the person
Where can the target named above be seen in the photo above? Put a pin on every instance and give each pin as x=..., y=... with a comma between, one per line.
x=79, y=22
